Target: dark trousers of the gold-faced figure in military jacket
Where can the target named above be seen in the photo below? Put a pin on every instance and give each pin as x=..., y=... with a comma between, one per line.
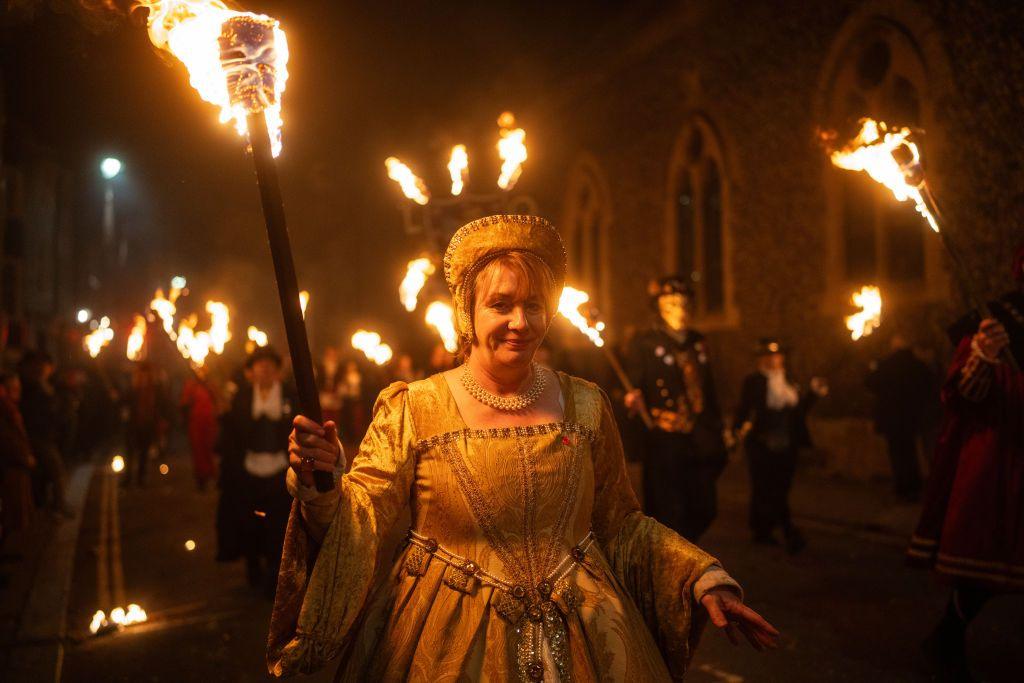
x=679, y=485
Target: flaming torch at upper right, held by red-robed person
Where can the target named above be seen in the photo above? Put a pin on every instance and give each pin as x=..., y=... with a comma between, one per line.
x=892, y=160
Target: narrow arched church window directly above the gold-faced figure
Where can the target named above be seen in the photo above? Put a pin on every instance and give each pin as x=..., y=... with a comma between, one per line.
x=698, y=240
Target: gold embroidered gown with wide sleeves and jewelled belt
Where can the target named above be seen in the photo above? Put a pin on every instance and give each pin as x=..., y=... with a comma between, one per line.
x=528, y=560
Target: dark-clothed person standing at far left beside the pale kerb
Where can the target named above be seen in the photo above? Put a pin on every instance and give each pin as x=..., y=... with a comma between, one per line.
x=39, y=411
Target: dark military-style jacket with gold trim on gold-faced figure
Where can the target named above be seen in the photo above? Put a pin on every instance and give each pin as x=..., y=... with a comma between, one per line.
x=674, y=374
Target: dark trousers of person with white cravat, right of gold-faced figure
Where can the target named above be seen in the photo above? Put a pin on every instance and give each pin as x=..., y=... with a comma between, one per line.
x=772, y=478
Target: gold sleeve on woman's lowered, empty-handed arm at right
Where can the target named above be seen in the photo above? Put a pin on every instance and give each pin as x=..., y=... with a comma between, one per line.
x=657, y=567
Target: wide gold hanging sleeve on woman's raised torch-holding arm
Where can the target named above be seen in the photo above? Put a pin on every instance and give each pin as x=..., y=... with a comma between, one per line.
x=321, y=591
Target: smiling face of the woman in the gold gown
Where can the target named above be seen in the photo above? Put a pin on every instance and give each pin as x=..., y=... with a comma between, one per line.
x=509, y=320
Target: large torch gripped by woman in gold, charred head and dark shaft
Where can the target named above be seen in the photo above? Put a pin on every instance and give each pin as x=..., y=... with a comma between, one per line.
x=249, y=54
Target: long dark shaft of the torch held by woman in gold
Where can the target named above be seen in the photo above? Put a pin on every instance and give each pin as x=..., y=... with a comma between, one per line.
x=288, y=284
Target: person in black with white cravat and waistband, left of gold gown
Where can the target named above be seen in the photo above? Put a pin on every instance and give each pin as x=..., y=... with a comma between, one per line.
x=253, y=446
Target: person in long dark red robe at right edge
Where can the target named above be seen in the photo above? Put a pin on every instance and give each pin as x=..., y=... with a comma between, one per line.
x=972, y=525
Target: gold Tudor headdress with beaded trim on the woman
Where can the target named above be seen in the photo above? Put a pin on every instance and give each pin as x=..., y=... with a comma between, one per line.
x=477, y=244
